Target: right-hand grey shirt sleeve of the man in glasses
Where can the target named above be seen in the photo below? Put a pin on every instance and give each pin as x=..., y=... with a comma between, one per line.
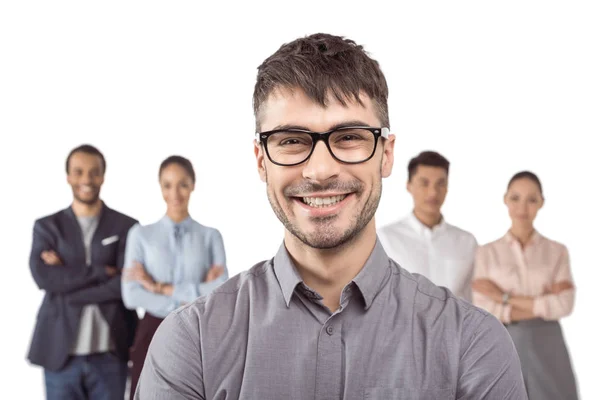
x=489, y=366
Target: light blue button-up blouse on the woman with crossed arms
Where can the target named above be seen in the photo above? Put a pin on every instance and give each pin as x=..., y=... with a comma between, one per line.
x=175, y=253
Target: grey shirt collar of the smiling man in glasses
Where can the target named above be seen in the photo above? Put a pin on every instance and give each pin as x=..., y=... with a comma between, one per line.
x=369, y=279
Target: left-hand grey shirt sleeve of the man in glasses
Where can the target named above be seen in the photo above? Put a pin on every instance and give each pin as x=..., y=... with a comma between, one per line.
x=173, y=366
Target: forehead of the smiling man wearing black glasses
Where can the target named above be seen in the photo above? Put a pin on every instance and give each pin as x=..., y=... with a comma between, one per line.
x=294, y=107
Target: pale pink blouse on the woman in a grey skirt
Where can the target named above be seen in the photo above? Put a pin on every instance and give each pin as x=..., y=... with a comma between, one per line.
x=525, y=272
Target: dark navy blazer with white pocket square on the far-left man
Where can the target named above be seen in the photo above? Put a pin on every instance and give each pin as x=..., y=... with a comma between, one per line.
x=73, y=285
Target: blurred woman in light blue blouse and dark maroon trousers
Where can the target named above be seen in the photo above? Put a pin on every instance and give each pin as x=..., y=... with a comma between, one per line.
x=170, y=262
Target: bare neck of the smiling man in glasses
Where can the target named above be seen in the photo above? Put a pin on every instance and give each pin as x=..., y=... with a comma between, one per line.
x=328, y=271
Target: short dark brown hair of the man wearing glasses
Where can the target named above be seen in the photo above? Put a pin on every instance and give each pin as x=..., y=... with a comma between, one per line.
x=320, y=64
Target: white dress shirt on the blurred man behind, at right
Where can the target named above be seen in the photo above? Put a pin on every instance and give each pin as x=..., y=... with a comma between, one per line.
x=445, y=254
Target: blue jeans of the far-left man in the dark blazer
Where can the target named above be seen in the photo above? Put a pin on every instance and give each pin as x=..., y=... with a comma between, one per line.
x=95, y=377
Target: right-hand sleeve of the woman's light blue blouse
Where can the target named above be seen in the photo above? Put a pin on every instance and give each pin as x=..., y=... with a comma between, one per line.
x=186, y=292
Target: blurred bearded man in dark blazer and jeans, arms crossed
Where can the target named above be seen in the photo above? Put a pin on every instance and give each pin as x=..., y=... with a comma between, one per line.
x=83, y=331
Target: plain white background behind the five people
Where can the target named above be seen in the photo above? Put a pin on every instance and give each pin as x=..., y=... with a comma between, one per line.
x=497, y=87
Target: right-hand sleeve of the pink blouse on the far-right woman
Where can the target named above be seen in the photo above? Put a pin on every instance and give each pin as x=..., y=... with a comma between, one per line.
x=556, y=306
